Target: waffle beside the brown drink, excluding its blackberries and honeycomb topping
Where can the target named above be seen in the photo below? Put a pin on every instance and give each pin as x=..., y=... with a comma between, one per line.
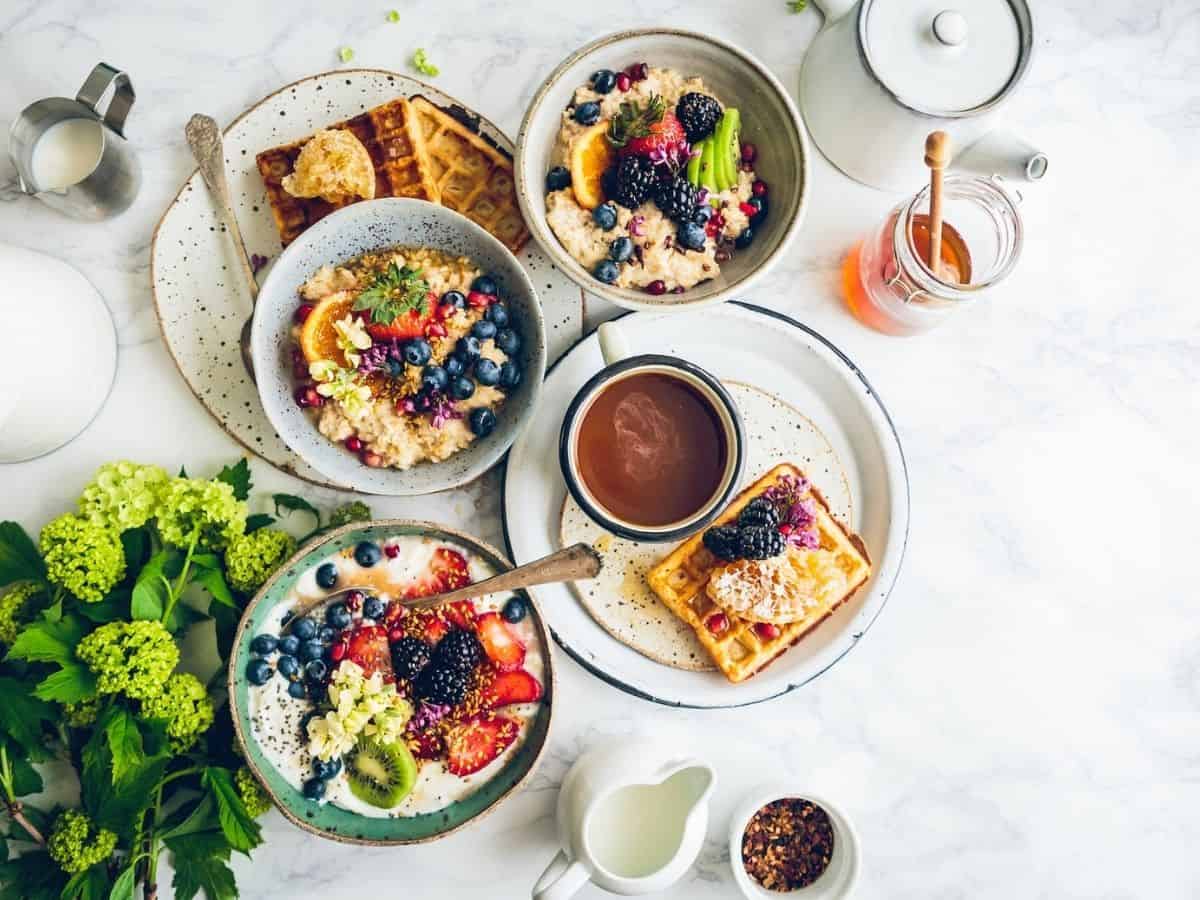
x=740, y=651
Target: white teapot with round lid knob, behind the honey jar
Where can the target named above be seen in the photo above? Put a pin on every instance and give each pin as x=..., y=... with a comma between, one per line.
x=884, y=74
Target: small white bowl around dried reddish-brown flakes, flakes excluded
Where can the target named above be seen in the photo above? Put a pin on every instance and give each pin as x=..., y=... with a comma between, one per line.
x=838, y=881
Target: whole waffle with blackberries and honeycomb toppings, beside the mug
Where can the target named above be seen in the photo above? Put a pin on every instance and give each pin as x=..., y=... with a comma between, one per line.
x=771, y=569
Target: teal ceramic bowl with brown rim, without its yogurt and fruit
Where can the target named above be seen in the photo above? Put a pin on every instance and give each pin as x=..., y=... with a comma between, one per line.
x=333, y=823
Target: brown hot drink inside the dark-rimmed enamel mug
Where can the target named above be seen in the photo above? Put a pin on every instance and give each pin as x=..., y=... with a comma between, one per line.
x=652, y=449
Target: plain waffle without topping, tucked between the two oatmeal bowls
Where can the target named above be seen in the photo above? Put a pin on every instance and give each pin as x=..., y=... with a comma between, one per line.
x=471, y=176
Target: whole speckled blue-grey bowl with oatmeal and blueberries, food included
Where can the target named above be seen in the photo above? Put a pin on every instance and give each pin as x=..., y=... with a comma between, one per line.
x=399, y=347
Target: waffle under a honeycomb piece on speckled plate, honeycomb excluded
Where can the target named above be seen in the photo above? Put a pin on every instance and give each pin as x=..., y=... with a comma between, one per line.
x=392, y=139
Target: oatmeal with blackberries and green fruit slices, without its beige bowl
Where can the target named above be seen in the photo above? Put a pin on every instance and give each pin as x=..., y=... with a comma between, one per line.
x=652, y=188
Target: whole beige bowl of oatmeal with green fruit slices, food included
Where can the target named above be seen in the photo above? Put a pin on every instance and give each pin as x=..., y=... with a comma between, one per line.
x=663, y=169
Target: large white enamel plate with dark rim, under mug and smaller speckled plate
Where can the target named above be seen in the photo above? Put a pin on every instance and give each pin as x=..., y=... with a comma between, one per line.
x=760, y=347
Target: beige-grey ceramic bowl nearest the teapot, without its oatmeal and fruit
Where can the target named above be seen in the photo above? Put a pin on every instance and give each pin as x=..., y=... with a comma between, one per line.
x=770, y=121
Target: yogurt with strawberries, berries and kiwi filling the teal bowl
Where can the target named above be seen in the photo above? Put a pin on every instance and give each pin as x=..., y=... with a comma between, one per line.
x=387, y=712
